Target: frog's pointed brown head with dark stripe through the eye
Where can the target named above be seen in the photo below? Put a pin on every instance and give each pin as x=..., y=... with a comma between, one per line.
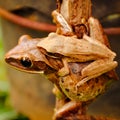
x=26, y=56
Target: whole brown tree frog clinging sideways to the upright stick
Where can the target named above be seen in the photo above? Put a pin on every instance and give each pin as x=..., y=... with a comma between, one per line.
x=31, y=55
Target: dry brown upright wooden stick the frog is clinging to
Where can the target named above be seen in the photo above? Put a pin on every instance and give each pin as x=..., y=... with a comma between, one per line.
x=75, y=11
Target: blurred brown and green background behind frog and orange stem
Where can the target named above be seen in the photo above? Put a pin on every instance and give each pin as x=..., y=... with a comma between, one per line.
x=26, y=96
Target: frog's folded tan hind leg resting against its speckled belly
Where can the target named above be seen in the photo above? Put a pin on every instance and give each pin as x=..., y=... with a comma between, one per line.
x=96, y=69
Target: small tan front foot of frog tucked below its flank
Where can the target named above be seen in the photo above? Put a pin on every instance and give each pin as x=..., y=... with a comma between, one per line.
x=65, y=70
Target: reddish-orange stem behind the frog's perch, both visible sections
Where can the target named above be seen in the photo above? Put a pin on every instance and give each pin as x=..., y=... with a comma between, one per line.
x=42, y=26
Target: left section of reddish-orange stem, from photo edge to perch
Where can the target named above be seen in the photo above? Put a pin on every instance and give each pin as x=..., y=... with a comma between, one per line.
x=26, y=22
